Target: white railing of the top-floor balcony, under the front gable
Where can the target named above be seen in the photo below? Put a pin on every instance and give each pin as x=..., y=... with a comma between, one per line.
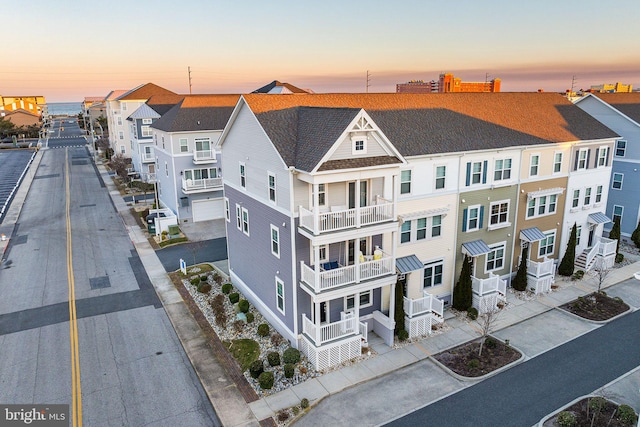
x=340, y=219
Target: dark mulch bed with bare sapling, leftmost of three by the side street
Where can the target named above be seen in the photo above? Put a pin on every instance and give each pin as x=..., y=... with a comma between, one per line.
x=464, y=359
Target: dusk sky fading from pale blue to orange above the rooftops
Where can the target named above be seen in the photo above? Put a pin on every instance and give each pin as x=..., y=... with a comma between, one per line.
x=66, y=50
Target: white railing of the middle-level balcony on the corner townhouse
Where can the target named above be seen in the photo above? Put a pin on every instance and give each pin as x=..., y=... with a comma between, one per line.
x=322, y=280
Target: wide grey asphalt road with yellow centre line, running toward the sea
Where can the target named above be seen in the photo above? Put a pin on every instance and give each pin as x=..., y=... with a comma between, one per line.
x=133, y=369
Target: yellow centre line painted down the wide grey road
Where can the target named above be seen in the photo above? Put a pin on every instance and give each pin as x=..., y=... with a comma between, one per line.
x=76, y=392
